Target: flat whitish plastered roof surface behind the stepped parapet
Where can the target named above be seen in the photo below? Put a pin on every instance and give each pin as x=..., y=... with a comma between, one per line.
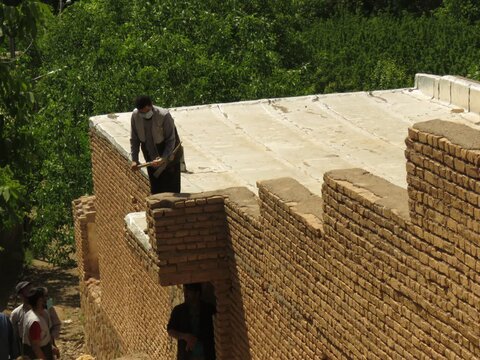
x=237, y=144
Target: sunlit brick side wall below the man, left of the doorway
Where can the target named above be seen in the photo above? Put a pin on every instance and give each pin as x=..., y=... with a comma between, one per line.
x=128, y=290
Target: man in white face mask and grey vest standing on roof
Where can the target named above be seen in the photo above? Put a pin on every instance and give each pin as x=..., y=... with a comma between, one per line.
x=153, y=130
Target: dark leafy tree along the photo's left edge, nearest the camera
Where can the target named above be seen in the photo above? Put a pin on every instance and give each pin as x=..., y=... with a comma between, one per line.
x=19, y=25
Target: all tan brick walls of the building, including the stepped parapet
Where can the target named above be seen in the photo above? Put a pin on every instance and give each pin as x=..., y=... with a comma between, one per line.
x=369, y=270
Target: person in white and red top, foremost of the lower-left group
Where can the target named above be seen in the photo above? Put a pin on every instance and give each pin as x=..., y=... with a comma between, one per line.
x=37, y=340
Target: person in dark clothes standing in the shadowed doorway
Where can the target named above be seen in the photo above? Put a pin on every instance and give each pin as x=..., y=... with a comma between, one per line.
x=191, y=323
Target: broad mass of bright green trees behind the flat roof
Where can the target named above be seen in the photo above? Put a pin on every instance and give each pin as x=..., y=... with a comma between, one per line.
x=97, y=55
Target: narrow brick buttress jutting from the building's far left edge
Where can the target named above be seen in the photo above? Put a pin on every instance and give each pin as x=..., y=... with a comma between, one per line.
x=87, y=254
